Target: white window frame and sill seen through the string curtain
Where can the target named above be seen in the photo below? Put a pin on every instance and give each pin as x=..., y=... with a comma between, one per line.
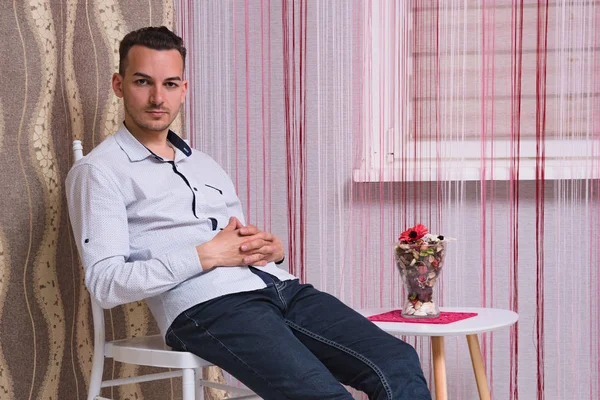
x=387, y=156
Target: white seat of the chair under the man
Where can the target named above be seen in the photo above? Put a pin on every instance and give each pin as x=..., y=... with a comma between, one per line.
x=151, y=351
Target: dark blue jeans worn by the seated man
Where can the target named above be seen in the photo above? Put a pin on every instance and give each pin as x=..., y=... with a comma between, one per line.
x=291, y=341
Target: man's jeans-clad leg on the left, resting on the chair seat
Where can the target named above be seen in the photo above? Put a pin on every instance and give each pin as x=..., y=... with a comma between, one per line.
x=246, y=335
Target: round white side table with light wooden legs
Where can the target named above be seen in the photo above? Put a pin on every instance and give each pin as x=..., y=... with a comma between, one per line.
x=487, y=319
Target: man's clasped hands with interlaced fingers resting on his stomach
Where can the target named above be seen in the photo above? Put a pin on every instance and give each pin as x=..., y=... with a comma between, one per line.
x=238, y=245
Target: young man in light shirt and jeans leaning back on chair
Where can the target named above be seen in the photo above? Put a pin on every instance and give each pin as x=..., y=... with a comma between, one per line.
x=156, y=220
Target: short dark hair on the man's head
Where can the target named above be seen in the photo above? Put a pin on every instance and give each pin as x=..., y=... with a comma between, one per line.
x=152, y=37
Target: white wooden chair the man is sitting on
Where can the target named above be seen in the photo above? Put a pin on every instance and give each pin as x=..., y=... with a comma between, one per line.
x=150, y=351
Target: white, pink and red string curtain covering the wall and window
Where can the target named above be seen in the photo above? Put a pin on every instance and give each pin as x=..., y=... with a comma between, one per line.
x=343, y=123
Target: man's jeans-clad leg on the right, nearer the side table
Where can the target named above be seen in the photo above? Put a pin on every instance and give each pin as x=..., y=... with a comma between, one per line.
x=357, y=352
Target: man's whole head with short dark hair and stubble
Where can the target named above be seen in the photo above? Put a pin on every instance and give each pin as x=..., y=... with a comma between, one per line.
x=150, y=80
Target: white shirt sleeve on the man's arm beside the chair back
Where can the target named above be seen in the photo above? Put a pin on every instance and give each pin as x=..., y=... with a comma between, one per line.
x=98, y=214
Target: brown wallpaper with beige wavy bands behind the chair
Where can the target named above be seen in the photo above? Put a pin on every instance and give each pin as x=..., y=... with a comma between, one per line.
x=56, y=61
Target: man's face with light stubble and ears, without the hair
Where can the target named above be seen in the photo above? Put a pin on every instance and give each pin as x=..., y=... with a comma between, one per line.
x=152, y=89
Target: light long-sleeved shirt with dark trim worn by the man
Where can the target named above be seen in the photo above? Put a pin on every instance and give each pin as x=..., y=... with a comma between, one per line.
x=138, y=218
